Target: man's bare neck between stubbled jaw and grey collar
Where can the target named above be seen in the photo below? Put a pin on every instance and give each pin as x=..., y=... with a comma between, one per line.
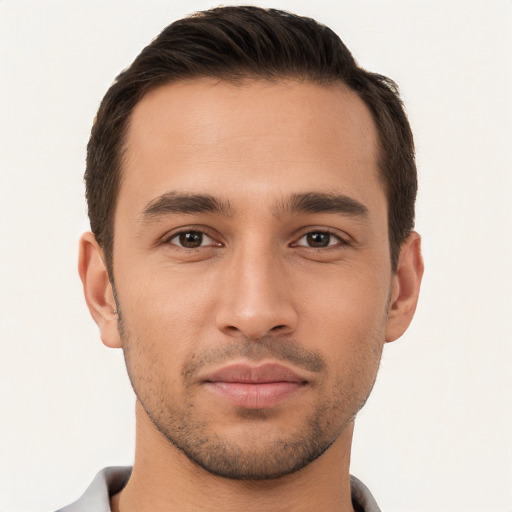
x=164, y=479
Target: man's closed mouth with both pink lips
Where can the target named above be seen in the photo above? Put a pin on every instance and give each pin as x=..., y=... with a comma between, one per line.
x=254, y=387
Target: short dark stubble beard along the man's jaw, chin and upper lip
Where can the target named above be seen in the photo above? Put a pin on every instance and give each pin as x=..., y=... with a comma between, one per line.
x=248, y=457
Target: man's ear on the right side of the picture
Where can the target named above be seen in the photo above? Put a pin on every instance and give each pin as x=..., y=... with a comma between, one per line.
x=405, y=287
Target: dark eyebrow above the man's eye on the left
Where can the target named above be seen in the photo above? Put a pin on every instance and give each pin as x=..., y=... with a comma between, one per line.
x=173, y=202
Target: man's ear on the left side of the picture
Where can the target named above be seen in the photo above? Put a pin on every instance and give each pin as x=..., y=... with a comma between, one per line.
x=98, y=290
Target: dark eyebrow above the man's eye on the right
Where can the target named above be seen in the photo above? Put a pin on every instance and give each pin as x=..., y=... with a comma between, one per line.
x=318, y=202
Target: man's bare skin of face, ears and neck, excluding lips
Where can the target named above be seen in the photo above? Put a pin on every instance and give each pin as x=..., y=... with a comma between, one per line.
x=258, y=280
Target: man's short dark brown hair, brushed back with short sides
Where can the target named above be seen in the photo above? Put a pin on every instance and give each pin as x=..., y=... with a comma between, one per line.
x=232, y=43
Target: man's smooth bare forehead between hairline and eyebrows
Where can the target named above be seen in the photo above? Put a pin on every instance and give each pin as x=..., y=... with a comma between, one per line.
x=249, y=138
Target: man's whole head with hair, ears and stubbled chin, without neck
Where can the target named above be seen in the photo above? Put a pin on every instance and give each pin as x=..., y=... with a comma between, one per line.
x=251, y=195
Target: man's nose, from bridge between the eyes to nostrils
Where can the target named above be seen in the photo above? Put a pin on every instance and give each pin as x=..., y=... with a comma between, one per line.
x=256, y=296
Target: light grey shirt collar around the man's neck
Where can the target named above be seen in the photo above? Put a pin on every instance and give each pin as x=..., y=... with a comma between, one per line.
x=111, y=480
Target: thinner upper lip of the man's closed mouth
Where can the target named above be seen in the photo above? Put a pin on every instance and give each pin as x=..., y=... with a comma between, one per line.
x=250, y=374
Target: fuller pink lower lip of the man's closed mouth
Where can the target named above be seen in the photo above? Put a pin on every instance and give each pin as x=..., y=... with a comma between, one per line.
x=255, y=396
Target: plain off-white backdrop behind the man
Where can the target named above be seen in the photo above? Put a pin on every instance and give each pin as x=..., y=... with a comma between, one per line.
x=436, y=434
